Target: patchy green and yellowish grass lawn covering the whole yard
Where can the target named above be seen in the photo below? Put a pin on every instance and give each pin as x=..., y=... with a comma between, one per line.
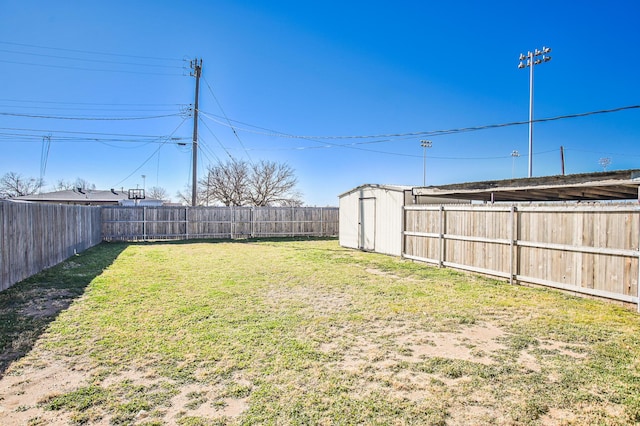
x=303, y=333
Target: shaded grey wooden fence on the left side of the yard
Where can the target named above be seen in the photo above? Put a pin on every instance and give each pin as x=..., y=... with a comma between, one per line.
x=37, y=236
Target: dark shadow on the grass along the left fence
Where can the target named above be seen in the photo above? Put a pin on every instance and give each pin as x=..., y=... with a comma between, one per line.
x=28, y=307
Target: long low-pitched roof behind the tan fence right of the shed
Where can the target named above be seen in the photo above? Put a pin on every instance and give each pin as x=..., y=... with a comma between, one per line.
x=614, y=185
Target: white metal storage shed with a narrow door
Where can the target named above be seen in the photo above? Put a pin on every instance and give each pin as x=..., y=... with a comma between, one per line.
x=371, y=218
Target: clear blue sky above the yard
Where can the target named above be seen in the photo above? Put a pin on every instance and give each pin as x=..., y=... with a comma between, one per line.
x=287, y=80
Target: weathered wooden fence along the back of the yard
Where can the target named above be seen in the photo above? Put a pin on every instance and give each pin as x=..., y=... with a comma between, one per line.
x=161, y=223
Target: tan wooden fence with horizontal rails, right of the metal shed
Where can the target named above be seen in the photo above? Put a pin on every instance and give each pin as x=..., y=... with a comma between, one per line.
x=588, y=249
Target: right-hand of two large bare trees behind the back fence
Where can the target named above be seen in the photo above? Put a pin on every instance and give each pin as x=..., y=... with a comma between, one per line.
x=273, y=183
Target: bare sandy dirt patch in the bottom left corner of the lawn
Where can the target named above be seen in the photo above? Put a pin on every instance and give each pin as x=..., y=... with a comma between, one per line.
x=26, y=386
